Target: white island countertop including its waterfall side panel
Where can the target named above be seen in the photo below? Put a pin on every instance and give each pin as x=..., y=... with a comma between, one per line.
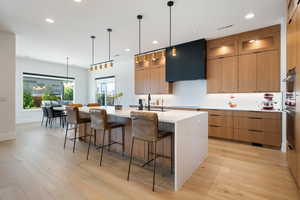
x=190, y=137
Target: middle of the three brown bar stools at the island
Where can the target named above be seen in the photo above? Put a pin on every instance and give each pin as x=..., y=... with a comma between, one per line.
x=99, y=122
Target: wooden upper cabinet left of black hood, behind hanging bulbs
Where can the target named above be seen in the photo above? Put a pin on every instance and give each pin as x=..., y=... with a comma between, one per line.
x=150, y=74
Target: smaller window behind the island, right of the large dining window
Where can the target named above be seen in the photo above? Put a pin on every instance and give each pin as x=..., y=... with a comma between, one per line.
x=105, y=90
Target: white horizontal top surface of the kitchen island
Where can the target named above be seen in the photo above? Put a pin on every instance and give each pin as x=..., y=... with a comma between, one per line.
x=169, y=116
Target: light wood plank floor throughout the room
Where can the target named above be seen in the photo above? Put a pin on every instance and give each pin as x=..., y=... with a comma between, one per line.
x=35, y=167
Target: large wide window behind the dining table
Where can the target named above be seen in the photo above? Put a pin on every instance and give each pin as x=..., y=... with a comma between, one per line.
x=46, y=90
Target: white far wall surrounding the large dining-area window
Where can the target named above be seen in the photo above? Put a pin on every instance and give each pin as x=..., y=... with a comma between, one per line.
x=41, y=67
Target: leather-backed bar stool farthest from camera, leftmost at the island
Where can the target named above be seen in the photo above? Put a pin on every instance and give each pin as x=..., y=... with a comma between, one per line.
x=74, y=119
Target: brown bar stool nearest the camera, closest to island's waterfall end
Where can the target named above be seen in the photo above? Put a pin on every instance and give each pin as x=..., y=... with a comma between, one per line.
x=145, y=128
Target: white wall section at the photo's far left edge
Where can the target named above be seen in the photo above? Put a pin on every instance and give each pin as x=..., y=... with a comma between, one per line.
x=7, y=86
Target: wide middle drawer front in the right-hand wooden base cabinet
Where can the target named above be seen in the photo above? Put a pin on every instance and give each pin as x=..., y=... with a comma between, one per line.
x=258, y=124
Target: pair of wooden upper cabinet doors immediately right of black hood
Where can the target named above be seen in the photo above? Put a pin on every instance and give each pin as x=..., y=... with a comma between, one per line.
x=222, y=75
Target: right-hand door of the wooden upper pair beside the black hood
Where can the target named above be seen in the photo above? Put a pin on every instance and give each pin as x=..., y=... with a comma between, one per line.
x=230, y=74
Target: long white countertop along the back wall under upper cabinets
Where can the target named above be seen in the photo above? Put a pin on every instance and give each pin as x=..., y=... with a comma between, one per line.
x=197, y=108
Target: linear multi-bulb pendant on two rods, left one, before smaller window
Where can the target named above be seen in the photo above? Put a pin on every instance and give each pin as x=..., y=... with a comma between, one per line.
x=105, y=64
